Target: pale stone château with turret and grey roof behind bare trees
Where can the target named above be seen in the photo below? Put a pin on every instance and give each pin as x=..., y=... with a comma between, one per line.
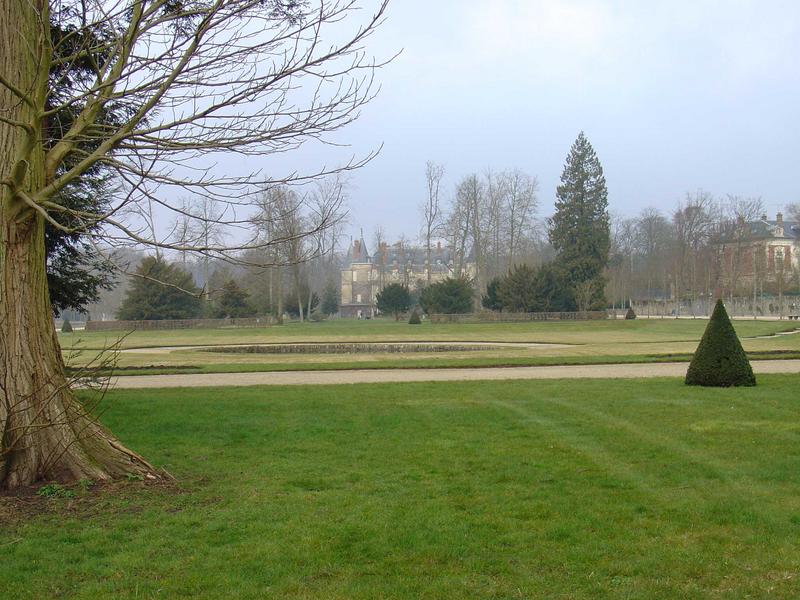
x=365, y=274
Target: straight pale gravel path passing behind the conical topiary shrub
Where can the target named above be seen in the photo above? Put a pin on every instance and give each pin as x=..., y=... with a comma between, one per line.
x=409, y=375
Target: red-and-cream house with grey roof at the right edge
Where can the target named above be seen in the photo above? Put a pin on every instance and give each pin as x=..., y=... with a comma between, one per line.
x=764, y=250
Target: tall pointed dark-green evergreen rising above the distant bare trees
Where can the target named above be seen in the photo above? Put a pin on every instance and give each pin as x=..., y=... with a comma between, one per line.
x=579, y=229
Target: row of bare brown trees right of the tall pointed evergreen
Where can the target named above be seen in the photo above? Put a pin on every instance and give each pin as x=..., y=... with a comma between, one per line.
x=700, y=249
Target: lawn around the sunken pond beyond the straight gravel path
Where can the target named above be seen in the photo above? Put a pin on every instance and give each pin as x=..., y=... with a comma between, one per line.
x=584, y=342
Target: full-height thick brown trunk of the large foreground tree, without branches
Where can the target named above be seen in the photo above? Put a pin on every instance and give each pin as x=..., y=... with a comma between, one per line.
x=45, y=432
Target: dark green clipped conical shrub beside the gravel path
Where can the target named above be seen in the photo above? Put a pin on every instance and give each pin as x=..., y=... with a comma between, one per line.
x=720, y=360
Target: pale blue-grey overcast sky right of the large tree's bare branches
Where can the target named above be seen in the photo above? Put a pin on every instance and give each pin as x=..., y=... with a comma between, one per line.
x=674, y=96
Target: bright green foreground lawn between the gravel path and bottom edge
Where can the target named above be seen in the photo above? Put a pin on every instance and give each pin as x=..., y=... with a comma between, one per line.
x=581, y=489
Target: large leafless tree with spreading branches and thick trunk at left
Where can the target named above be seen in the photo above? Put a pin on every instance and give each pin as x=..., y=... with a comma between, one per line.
x=196, y=80
